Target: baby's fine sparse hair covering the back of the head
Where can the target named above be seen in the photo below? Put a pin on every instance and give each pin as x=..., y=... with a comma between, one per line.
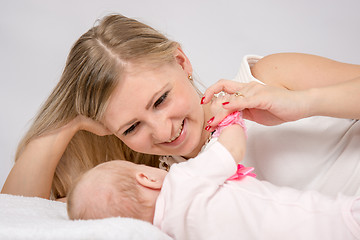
x=105, y=191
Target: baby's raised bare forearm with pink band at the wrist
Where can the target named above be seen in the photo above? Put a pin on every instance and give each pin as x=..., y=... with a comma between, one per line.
x=233, y=138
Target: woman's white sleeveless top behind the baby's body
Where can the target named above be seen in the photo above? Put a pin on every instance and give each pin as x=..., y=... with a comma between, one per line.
x=317, y=153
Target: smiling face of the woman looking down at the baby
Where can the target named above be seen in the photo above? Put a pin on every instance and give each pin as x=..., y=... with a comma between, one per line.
x=157, y=110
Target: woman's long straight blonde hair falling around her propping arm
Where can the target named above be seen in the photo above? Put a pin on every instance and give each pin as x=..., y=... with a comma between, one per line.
x=95, y=64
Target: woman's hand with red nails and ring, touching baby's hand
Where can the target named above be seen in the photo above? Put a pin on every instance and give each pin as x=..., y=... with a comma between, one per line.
x=267, y=105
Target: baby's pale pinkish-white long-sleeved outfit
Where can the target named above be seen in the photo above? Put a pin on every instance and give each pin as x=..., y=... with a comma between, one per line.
x=196, y=202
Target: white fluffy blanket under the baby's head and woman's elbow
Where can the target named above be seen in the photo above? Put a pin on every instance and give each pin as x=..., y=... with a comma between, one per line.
x=37, y=218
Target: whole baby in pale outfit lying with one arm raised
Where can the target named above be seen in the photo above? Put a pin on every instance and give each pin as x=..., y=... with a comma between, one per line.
x=212, y=197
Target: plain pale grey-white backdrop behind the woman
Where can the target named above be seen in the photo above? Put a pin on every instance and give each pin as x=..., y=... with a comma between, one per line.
x=36, y=35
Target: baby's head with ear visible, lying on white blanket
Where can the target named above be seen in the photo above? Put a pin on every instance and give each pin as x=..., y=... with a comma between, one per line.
x=116, y=188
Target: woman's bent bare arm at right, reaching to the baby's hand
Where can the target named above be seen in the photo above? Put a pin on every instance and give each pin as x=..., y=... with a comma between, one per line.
x=297, y=86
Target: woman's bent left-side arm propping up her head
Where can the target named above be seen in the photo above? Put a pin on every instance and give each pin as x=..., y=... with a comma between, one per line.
x=33, y=171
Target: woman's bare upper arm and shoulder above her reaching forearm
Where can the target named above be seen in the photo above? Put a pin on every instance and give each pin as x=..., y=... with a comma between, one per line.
x=298, y=71
